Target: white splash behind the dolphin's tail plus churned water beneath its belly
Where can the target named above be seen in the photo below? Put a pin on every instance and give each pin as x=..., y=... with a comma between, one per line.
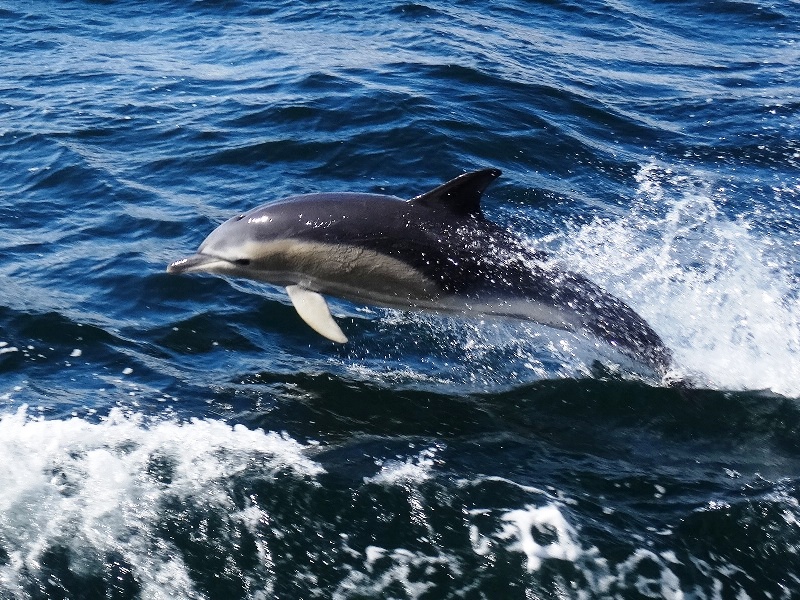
x=720, y=292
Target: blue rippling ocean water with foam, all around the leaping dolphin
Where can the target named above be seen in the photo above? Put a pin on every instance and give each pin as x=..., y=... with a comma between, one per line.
x=191, y=437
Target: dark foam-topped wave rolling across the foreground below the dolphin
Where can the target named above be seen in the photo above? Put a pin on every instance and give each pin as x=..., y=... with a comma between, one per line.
x=160, y=508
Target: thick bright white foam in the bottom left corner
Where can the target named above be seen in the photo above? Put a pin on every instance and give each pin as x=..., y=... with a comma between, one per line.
x=93, y=489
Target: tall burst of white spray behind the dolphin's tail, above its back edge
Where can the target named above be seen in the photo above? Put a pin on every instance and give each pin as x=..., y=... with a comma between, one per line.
x=721, y=295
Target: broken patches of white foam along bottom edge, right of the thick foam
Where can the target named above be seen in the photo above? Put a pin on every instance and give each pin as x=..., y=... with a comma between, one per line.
x=543, y=535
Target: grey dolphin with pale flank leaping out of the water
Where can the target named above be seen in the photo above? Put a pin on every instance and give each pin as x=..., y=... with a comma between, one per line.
x=436, y=252
